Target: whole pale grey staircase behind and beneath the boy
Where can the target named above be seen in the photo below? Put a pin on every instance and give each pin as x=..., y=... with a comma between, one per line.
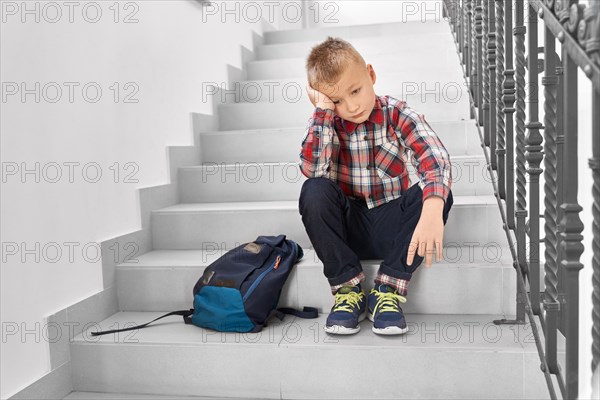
x=249, y=185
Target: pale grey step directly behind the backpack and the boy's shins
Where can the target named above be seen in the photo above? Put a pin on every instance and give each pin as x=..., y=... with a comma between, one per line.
x=163, y=280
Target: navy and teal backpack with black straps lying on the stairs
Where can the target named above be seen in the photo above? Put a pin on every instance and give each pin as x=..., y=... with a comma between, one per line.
x=239, y=291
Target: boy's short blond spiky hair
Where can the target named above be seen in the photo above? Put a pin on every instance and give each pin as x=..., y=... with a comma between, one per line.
x=328, y=60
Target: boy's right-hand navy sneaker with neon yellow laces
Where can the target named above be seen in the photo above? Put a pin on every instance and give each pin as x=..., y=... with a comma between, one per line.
x=385, y=311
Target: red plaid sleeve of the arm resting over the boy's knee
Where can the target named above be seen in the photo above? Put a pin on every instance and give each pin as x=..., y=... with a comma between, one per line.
x=429, y=156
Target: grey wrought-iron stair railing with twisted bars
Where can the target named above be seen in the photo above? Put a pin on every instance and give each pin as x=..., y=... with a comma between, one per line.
x=503, y=83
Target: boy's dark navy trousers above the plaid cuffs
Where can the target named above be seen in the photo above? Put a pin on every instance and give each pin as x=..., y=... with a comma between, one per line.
x=344, y=230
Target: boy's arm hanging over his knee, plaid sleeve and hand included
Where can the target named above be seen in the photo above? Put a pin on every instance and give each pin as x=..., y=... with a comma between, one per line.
x=434, y=170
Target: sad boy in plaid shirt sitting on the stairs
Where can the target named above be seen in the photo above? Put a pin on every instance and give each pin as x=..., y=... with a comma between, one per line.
x=357, y=203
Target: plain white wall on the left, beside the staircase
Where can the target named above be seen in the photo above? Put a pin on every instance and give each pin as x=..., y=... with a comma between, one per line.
x=165, y=56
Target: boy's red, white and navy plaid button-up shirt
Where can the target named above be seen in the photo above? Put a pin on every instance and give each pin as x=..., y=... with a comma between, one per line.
x=369, y=160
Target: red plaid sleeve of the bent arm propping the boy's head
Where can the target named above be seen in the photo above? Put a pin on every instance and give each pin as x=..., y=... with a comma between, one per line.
x=315, y=155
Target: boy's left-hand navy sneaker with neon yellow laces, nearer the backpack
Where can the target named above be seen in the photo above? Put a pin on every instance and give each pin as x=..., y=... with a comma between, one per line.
x=349, y=309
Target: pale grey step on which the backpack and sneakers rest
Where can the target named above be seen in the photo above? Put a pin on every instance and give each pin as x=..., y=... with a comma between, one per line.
x=448, y=356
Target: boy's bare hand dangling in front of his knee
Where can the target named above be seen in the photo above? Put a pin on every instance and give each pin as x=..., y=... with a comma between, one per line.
x=428, y=236
